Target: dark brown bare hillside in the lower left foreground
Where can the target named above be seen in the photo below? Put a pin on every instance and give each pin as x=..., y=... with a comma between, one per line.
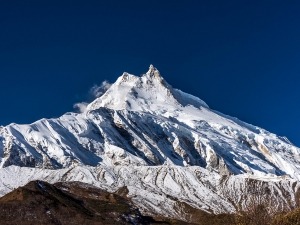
x=41, y=203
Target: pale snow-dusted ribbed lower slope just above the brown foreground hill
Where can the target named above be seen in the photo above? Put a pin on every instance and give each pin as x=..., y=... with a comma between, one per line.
x=162, y=189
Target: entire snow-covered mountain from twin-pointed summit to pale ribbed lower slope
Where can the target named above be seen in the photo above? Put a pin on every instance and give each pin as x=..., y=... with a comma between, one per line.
x=164, y=145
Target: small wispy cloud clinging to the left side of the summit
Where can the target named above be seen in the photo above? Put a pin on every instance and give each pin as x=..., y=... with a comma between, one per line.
x=95, y=92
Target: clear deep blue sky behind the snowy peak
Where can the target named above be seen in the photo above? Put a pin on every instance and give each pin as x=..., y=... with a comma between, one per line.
x=241, y=57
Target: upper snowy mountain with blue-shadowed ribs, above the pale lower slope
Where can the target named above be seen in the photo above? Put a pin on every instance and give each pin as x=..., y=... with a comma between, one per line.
x=137, y=97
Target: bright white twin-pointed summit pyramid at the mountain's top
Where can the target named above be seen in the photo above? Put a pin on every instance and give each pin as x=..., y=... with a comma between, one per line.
x=149, y=92
